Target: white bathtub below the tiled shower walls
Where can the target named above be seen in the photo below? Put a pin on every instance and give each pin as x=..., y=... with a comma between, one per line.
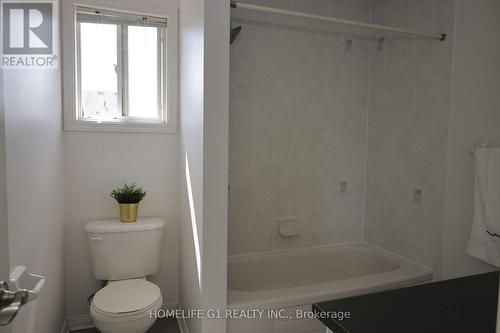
x=292, y=280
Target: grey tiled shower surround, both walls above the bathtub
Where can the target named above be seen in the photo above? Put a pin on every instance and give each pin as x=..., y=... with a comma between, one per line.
x=305, y=113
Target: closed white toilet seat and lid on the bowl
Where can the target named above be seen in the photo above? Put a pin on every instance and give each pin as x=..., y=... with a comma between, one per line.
x=126, y=298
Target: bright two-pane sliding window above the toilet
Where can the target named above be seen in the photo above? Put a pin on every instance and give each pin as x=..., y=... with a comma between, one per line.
x=120, y=71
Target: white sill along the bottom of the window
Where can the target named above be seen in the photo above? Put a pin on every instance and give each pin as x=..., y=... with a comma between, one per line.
x=126, y=126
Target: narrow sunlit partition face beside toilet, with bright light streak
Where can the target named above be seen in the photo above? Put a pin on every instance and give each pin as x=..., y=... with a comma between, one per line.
x=191, y=154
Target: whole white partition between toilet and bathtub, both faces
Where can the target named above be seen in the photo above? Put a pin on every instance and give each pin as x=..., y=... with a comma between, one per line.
x=204, y=87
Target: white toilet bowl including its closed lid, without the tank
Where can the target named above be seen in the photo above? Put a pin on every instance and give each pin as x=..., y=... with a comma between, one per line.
x=126, y=306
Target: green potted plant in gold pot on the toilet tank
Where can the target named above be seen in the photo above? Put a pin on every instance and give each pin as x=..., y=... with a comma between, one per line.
x=128, y=196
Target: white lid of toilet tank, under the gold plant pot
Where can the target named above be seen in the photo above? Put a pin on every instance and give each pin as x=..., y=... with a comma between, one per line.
x=114, y=225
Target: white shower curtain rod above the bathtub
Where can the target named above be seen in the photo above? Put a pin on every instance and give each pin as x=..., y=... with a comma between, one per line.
x=236, y=4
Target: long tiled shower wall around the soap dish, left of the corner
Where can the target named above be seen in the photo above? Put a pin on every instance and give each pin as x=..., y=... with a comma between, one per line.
x=298, y=109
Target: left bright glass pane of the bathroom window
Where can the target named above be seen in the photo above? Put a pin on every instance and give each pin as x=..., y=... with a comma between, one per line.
x=98, y=50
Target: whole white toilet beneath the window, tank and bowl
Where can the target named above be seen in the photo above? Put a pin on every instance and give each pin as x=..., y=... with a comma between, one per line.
x=124, y=254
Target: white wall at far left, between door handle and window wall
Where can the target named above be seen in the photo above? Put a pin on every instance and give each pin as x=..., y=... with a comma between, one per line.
x=35, y=199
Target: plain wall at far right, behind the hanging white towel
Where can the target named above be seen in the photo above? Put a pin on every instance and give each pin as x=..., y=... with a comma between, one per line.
x=475, y=116
